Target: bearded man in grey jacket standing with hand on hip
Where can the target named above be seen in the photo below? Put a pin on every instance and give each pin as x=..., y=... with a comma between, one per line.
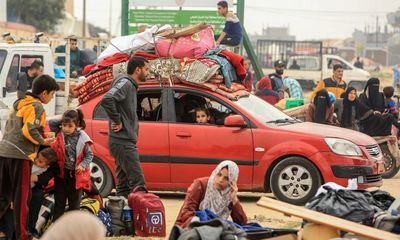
x=120, y=103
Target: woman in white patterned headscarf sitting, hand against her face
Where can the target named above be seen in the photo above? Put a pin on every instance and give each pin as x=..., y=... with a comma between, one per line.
x=217, y=193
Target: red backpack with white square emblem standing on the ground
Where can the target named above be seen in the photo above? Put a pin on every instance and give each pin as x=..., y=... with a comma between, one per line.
x=148, y=213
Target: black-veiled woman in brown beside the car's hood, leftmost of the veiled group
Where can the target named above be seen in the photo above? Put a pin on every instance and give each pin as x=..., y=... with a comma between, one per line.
x=321, y=109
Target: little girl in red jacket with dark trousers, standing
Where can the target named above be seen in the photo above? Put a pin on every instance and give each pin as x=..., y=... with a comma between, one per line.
x=74, y=157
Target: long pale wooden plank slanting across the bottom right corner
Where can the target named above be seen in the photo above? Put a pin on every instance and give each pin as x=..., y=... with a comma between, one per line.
x=324, y=219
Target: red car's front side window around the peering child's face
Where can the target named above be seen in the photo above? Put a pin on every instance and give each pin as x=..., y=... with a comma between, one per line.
x=187, y=103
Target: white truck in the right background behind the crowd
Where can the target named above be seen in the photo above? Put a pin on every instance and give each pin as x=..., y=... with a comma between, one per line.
x=308, y=62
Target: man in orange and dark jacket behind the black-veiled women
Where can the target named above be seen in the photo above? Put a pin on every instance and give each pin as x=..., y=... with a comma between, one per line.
x=334, y=84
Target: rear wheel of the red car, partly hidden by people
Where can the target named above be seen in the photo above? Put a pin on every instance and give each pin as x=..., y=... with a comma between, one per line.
x=104, y=179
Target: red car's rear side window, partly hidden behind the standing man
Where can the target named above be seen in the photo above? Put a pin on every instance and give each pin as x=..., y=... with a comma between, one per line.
x=149, y=107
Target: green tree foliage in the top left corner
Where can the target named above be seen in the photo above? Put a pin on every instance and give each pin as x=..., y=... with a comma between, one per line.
x=42, y=14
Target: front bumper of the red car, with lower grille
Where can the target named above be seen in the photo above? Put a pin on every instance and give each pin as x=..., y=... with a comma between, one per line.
x=339, y=169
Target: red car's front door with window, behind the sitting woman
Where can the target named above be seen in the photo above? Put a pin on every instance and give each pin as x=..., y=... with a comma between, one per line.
x=196, y=149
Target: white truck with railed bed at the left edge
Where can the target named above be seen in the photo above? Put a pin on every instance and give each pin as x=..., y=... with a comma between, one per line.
x=18, y=57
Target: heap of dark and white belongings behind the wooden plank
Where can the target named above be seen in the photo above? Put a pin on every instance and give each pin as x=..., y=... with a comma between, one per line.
x=376, y=208
